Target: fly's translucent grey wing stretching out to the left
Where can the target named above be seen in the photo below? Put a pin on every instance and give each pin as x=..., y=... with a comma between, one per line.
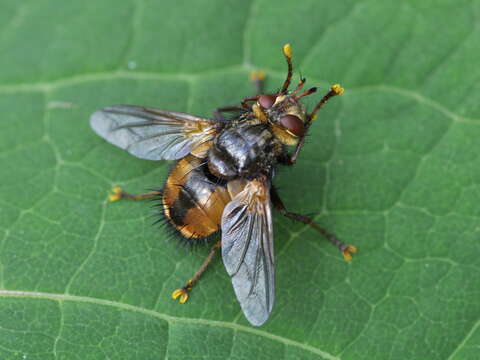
x=151, y=134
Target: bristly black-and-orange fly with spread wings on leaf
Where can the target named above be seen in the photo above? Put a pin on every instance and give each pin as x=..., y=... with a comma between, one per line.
x=222, y=179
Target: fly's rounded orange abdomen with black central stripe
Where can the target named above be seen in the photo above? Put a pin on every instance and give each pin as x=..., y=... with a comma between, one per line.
x=193, y=202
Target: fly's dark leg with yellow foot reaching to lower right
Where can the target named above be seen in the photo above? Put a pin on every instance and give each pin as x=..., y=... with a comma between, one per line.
x=346, y=250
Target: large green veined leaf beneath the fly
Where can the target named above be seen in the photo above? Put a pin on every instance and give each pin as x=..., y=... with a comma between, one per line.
x=393, y=166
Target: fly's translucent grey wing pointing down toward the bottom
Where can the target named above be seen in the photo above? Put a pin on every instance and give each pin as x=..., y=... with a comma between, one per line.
x=247, y=250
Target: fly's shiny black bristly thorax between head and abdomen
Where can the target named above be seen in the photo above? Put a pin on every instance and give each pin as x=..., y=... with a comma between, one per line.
x=244, y=150
